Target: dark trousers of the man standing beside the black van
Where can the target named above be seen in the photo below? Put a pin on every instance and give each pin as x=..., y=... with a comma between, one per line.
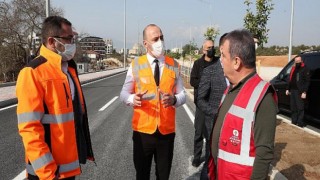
x=297, y=107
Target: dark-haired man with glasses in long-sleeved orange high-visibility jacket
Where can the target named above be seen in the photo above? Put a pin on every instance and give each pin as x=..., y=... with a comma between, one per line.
x=52, y=115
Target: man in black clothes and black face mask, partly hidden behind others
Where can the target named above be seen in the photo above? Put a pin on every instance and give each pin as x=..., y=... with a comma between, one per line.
x=198, y=66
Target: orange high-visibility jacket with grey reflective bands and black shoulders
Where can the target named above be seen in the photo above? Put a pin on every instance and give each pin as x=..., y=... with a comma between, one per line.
x=46, y=117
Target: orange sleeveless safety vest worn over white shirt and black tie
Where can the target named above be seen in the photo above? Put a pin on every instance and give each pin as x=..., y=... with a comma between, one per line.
x=152, y=114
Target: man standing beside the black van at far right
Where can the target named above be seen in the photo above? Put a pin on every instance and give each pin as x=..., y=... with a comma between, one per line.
x=297, y=88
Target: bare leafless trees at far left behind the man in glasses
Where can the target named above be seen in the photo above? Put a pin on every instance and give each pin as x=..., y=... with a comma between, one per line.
x=20, y=20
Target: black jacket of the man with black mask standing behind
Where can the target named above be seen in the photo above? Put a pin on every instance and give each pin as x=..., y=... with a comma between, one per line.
x=196, y=73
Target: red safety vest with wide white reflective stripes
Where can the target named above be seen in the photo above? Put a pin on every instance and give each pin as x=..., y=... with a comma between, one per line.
x=236, y=152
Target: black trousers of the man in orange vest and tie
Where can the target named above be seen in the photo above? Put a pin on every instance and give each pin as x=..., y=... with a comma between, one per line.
x=147, y=146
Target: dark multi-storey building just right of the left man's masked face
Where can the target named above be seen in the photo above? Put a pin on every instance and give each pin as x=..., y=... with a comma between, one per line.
x=95, y=44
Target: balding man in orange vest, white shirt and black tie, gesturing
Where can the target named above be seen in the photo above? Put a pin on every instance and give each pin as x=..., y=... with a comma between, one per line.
x=154, y=100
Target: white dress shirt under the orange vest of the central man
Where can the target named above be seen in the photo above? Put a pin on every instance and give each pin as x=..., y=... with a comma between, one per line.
x=127, y=92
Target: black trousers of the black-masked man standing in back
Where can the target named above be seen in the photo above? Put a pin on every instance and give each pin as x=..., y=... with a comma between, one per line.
x=199, y=133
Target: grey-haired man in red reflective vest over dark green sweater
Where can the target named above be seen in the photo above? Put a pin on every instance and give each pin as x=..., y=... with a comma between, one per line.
x=242, y=140
